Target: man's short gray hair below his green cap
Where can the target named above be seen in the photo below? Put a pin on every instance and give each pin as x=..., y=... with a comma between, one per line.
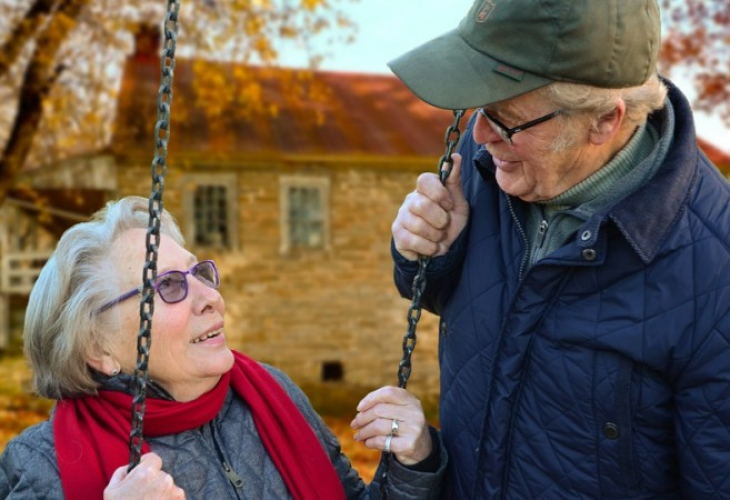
x=591, y=103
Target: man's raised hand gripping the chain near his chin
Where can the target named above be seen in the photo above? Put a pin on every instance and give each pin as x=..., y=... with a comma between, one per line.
x=432, y=216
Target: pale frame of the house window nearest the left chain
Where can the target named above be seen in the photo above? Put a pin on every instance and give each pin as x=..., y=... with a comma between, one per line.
x=230, y=182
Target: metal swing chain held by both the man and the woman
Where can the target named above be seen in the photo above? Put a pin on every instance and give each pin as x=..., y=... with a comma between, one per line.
x=446, y=162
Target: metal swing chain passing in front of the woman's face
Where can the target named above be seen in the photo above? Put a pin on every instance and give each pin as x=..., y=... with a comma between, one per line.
x=159, y=166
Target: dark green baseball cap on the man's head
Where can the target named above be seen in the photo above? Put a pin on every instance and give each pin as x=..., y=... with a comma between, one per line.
x=504, y=48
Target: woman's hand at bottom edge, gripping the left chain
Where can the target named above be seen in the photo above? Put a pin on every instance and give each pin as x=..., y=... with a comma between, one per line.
x=147, y=481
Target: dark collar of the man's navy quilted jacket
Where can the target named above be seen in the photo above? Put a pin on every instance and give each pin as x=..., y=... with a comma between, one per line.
x=646, y=216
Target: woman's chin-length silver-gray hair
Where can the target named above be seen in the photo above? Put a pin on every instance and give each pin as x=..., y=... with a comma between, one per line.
x=61, y=327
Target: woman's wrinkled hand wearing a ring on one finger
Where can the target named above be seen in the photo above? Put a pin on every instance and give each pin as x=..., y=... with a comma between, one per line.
x=374, y=422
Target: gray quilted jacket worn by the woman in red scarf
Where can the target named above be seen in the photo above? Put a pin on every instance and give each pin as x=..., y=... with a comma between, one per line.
x=224, y=459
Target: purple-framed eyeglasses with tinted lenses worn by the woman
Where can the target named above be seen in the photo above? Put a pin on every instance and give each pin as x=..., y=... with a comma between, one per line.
x=172, y=286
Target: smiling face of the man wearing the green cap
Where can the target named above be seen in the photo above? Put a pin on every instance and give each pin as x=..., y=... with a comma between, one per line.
x=530, y=168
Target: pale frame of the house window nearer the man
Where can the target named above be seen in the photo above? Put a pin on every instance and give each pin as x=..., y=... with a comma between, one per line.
x=301, y=181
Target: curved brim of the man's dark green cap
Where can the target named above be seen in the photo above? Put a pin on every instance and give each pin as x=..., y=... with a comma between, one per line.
x=448, y=73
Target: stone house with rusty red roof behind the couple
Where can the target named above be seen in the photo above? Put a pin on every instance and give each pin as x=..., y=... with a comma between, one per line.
x=295, y=207
